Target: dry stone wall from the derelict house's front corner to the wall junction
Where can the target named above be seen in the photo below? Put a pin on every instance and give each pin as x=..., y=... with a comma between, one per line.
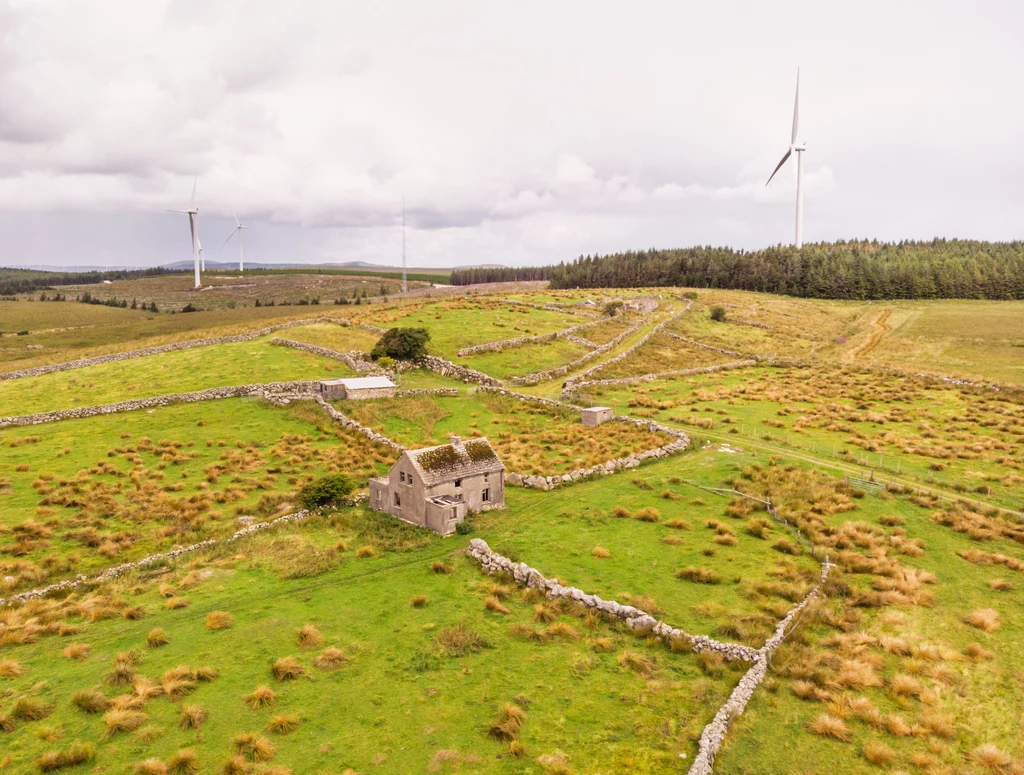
x=635, y=619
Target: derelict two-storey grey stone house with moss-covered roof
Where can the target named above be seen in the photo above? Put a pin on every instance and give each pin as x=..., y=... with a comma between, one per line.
x=436, y=488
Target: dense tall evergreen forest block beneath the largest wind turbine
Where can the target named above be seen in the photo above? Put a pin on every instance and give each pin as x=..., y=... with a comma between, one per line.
x=936, y=270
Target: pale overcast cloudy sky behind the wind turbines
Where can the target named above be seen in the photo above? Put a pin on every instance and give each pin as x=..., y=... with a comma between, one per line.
x=518, y=134
